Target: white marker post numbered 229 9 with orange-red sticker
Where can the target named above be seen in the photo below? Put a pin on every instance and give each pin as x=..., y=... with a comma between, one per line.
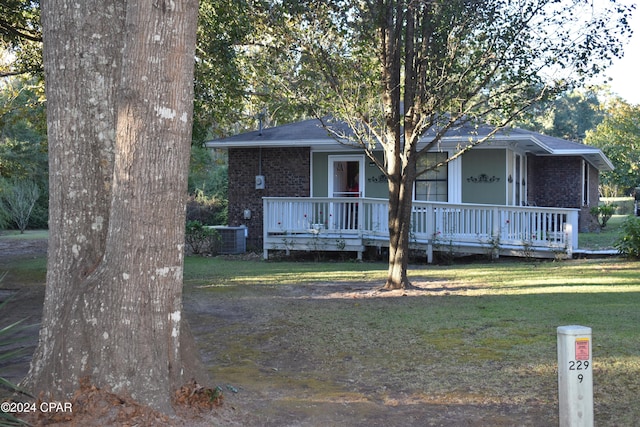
x=575, y=376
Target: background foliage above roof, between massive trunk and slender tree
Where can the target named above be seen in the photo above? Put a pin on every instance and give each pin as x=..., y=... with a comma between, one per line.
x=247, y=51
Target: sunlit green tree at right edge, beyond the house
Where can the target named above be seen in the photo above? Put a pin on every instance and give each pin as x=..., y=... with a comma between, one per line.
x=618, y=136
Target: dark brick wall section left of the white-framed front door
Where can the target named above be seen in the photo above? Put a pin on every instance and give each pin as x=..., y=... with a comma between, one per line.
x=286, y=172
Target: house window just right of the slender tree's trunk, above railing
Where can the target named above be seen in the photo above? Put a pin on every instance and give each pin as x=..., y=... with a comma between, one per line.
x=432, y=186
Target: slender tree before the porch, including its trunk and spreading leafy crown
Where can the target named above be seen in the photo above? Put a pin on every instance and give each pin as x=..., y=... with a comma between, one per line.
x=402, y=74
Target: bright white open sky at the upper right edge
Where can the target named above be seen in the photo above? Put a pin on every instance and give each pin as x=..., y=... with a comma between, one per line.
x=625, y=72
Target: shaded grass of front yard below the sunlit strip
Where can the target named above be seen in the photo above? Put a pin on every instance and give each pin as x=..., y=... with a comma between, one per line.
x=314, y=344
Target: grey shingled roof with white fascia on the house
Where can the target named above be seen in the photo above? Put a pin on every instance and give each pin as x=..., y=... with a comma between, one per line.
x=310, y=133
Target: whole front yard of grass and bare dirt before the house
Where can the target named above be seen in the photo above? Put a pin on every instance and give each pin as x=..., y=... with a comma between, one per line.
x=316, y=343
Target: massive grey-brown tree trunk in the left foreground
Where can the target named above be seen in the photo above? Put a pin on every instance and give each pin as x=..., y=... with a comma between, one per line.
x=119, y=109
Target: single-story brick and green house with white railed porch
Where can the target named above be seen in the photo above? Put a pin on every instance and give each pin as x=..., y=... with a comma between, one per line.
x=296, y=181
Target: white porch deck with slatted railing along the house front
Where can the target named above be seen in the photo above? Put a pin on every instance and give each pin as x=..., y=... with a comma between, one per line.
x=354, y=224
